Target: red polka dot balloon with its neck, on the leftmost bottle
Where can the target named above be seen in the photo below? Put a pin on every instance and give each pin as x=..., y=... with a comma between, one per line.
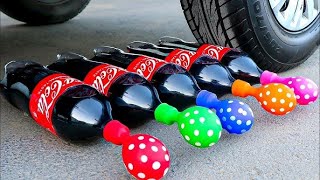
x=144, y=156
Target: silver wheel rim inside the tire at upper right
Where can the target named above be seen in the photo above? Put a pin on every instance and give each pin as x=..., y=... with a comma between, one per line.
x=295, y=15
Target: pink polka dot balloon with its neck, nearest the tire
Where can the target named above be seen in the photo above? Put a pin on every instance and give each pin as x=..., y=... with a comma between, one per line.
x=306, y=91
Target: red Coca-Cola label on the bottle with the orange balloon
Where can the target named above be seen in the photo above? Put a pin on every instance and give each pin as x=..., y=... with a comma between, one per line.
x=182, y=58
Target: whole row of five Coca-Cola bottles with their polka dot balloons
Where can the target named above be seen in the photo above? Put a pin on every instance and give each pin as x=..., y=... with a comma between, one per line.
x=73, y=96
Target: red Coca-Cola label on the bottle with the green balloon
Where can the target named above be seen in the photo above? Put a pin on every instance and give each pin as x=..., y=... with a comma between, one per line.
x=103, y=76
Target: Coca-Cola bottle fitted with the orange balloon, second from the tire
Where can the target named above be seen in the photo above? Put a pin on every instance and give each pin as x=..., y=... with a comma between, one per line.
x=209, y=74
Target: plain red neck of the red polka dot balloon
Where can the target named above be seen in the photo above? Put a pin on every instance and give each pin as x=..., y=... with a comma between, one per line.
x=115, y=132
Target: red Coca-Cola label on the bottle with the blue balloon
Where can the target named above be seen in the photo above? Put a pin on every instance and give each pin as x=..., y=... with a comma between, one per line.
x=145, y=66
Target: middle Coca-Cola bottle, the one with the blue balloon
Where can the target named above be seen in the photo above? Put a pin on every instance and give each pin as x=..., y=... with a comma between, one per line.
x=174, y=84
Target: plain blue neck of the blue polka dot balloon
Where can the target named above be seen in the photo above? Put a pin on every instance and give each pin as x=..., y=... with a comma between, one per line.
x=207, y=99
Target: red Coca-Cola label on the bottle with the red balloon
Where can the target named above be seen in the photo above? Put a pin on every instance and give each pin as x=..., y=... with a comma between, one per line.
x=45, y=95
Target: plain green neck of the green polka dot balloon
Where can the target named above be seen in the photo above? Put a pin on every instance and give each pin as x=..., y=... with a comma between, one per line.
x=166, y=114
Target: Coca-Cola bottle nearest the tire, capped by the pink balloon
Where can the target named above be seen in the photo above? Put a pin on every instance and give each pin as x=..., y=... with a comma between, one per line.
x=240, y=65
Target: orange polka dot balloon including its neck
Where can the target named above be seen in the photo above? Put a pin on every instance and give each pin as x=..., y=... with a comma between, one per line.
x=277, y=99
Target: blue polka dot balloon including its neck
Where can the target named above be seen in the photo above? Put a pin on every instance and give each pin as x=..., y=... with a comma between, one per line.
x=236, y=117
